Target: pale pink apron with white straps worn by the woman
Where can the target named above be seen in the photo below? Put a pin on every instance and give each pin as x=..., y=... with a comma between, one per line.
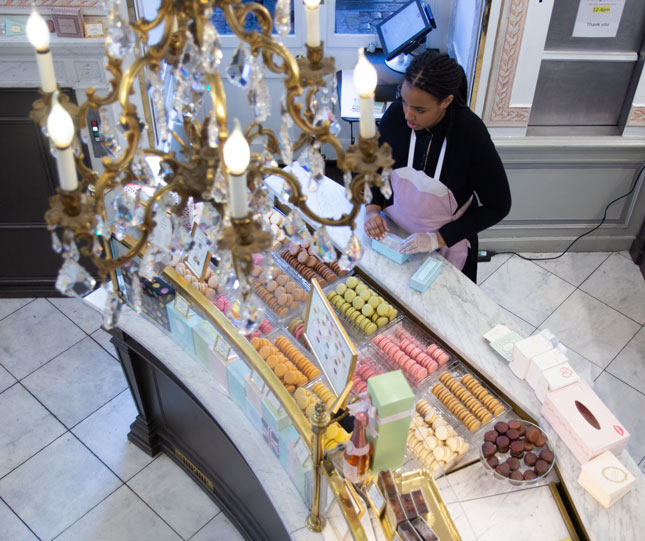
x=423, y=204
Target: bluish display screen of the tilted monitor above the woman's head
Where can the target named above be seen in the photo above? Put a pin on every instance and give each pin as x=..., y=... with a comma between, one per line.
x=403, y=29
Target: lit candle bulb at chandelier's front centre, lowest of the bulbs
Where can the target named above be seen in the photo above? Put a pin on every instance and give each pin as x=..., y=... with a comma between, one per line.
x=237, y=155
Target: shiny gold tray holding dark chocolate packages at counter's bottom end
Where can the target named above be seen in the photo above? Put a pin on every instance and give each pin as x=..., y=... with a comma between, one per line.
x=438, y=518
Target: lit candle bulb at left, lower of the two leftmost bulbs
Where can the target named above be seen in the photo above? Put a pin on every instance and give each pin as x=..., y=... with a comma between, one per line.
x=61, y=131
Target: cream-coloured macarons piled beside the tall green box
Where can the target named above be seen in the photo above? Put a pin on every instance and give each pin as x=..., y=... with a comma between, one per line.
x=432, y=440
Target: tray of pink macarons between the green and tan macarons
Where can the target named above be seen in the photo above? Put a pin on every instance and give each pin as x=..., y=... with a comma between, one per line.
x=405, y=346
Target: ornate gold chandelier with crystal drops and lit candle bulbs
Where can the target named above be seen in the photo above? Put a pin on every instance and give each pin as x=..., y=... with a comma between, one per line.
x=216, y=167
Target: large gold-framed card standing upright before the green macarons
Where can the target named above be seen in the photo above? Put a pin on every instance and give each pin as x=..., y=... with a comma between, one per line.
x=328, y=340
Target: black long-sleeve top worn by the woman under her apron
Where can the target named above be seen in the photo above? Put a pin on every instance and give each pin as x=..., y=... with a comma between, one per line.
x=471, y=166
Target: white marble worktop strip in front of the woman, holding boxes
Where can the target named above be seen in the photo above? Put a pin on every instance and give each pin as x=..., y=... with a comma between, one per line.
x=459, y=312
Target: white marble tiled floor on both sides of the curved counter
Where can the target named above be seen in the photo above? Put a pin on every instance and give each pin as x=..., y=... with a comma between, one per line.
x=68, y=472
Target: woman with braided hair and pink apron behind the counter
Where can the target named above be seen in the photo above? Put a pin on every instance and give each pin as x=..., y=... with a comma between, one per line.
x=448, y=181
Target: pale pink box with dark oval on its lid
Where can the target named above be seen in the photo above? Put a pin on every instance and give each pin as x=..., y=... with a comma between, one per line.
x=583, y=422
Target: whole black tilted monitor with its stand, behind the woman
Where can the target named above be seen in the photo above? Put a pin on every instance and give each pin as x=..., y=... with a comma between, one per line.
x=404, y=31
